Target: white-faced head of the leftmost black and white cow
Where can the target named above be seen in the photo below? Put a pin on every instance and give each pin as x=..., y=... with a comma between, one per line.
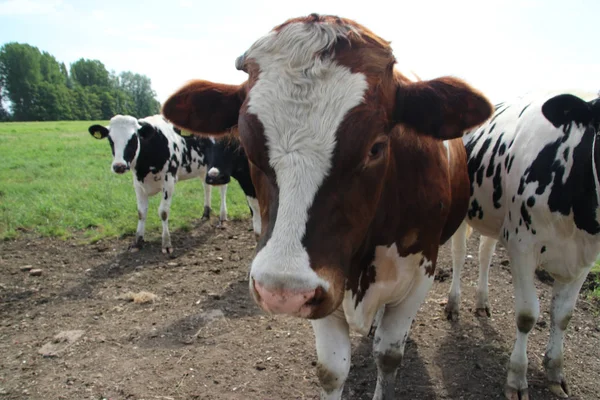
x=124, y=133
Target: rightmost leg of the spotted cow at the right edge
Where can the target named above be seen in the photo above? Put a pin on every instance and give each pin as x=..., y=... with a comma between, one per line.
x=564, y=297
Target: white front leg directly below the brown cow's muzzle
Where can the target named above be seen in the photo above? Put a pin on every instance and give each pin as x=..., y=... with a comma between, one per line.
x=333, y=353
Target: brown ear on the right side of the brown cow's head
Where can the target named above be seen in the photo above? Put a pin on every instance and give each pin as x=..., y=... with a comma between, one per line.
x=443, y=108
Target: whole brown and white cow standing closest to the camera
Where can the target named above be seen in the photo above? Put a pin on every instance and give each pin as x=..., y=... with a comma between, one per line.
x=356, y=186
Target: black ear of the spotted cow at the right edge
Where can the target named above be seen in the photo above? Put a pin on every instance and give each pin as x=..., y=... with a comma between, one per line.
x=566, y=108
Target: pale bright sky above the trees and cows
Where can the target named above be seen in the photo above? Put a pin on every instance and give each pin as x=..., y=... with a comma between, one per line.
x=502, y=47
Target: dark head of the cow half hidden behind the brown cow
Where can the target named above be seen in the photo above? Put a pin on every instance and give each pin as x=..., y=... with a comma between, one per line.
x=223, y=158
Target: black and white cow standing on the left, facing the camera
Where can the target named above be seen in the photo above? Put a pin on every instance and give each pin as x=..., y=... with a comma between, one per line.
x=158, y=157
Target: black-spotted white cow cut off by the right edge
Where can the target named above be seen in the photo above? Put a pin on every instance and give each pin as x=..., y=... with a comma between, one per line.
x=534, y=169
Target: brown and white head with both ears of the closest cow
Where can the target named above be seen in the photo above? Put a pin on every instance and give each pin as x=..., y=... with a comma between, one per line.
x=316, y=117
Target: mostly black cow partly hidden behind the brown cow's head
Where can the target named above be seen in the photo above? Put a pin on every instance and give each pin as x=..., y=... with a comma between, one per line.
x=226, y=159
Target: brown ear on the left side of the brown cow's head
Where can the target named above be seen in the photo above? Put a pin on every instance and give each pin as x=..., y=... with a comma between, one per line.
x=205, y=107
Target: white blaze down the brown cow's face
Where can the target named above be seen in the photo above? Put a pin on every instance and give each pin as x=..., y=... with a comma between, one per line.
x=301, y=99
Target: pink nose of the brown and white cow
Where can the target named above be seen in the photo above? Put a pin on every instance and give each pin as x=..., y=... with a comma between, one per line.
x=285, y=301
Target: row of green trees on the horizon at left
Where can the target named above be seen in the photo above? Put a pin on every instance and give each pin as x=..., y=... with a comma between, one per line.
x=34, y=86
